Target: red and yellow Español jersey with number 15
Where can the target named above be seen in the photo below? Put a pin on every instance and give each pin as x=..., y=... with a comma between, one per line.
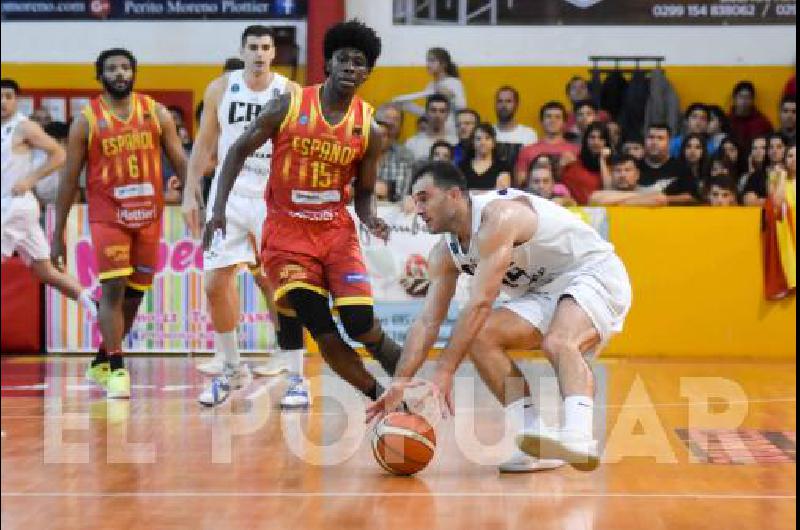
x=314, y=161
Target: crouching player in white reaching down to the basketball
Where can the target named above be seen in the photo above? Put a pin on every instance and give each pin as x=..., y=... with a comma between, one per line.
x=568, y=293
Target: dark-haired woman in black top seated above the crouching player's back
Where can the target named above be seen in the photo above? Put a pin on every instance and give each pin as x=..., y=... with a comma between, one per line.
x=484, y=171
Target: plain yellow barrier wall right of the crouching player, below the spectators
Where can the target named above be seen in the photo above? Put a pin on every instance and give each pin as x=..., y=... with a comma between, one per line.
x=698, y=285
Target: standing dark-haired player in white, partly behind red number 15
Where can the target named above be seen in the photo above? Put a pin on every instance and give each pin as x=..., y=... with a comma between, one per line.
x=232, y=102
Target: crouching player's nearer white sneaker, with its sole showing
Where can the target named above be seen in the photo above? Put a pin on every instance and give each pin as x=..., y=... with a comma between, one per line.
x=579, y=450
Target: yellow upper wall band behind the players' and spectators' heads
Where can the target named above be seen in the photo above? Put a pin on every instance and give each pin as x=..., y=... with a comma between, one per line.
x=711, y=84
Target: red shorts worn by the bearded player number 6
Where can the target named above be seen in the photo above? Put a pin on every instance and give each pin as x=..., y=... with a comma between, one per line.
x=124, y=252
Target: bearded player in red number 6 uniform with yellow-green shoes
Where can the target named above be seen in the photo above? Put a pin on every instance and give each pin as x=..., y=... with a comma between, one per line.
x=120, y=136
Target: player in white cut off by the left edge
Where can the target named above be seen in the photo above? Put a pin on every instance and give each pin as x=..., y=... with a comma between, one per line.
x=21, y=231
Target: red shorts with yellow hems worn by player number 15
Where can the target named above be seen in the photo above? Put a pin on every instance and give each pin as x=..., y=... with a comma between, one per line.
x=323, y=257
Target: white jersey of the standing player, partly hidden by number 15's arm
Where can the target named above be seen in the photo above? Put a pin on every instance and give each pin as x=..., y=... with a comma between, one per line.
x=238, y=108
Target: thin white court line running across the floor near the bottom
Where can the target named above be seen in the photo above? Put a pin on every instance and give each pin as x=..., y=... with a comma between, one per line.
x=361, y=494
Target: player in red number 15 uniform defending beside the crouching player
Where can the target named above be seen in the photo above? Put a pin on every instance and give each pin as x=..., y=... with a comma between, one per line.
x=310, y=250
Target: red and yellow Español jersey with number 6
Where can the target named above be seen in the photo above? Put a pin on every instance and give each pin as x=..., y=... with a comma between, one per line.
x=123, y=164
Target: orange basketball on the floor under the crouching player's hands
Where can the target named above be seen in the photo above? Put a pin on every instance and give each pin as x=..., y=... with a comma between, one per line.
x=403, y=443
